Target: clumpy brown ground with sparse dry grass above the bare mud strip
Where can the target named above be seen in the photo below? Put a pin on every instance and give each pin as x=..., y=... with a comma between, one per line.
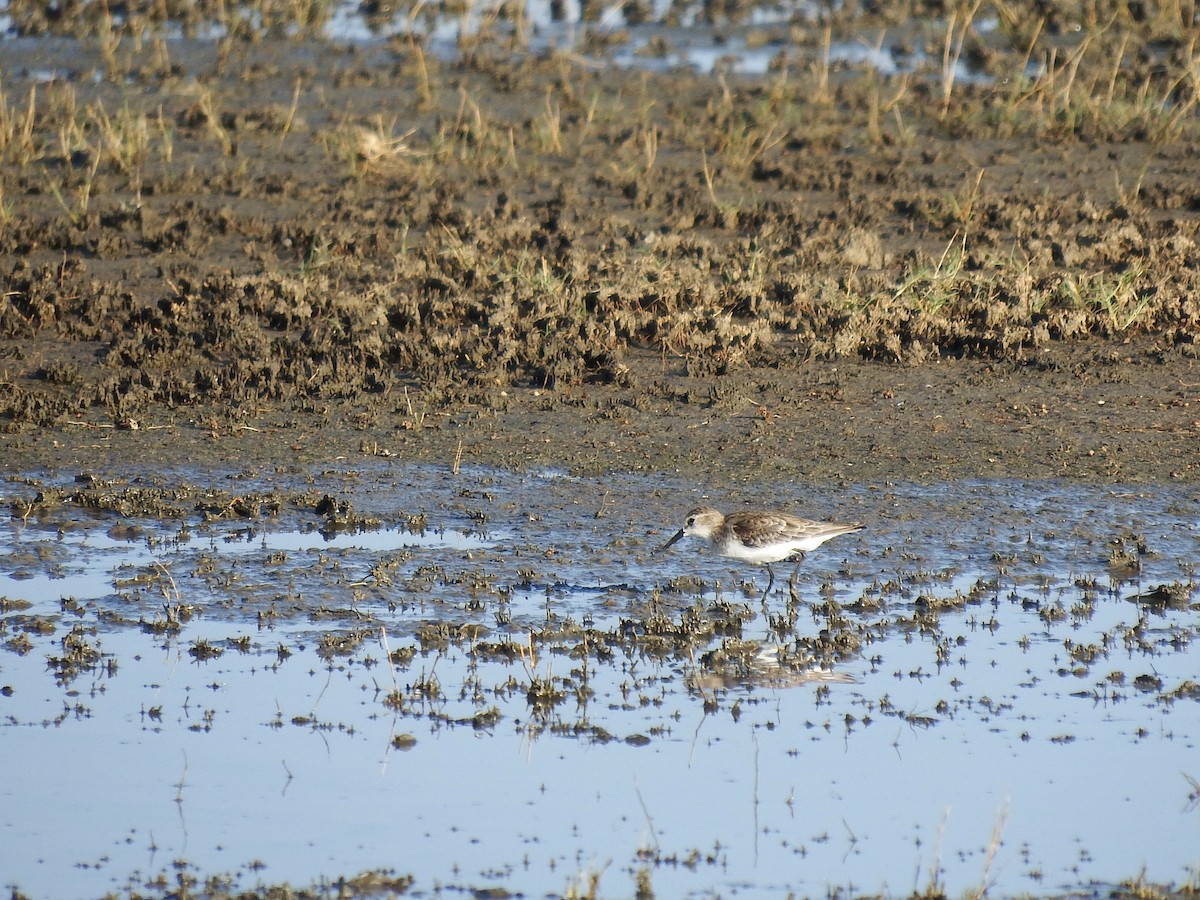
x=434, y=230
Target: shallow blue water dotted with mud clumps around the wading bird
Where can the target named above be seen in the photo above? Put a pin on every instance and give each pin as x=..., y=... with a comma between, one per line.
x=1012, y=717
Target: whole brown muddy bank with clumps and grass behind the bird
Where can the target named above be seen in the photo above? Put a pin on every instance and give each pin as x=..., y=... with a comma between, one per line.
x=272, y=253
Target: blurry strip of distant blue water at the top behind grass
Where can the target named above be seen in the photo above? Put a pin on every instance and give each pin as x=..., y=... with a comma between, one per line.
x=664, y=38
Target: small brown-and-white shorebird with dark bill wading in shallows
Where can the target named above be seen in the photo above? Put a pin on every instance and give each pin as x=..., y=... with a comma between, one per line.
x=766, y=537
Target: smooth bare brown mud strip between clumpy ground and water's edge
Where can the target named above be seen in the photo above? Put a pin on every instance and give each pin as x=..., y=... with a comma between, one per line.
x=1125, y=422
